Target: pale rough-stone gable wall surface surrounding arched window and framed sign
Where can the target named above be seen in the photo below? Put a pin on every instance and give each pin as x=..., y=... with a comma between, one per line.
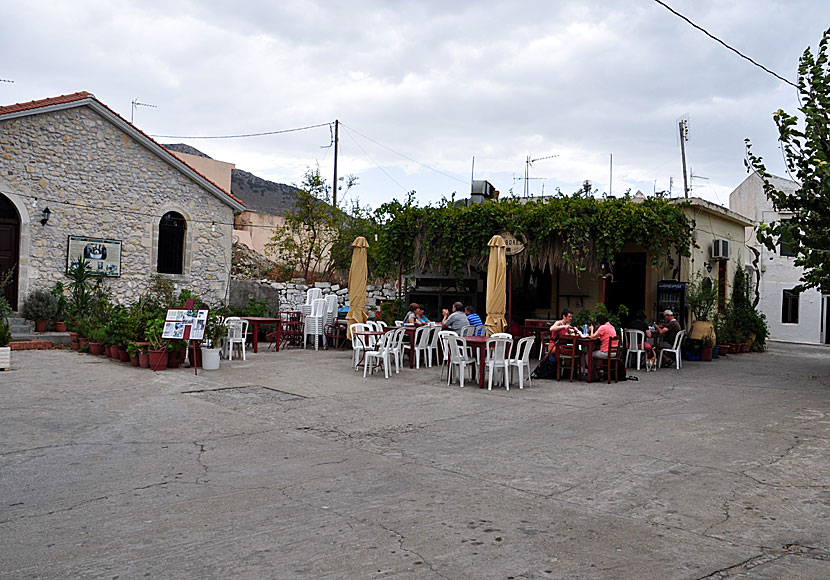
x=99, y=182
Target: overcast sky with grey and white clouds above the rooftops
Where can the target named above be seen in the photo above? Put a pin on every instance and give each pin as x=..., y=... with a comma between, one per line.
x=421, y=88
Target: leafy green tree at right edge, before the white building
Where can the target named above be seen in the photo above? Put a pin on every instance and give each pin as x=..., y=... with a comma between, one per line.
x=806, y=146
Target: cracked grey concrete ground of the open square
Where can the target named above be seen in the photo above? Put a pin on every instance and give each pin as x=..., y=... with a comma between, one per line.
x=290, y=465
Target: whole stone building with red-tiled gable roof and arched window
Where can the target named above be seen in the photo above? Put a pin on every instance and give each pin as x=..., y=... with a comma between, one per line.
x=77, y=178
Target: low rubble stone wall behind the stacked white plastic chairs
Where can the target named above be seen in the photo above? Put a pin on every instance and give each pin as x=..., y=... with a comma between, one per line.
x=292, y=294
